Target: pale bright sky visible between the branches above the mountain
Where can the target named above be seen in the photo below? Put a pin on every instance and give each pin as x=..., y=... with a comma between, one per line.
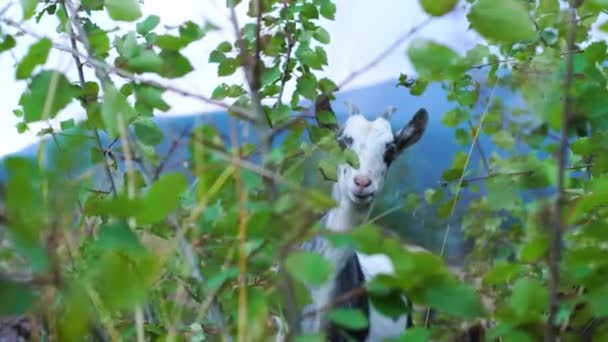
x=362, y=29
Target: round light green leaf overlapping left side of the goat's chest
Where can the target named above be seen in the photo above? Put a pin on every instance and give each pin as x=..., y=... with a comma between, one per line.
x=308, y=267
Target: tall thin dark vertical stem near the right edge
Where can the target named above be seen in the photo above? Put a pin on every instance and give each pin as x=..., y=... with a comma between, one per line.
x=559, y=226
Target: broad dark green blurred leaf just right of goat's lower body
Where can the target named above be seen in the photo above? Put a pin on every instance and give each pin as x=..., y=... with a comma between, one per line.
x=454, y=298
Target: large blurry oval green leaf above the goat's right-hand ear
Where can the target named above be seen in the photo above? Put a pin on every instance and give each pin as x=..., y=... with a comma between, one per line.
x=435, y=61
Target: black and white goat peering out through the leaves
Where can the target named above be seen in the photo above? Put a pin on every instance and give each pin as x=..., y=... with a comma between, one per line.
x=355, y=190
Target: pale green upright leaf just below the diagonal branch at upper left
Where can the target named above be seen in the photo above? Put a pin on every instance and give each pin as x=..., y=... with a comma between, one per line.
x=115, y=105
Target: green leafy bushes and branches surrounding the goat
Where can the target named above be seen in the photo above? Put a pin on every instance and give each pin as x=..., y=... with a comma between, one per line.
x=101, y=239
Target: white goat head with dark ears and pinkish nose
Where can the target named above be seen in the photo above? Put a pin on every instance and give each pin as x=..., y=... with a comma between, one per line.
x=376, y=147
